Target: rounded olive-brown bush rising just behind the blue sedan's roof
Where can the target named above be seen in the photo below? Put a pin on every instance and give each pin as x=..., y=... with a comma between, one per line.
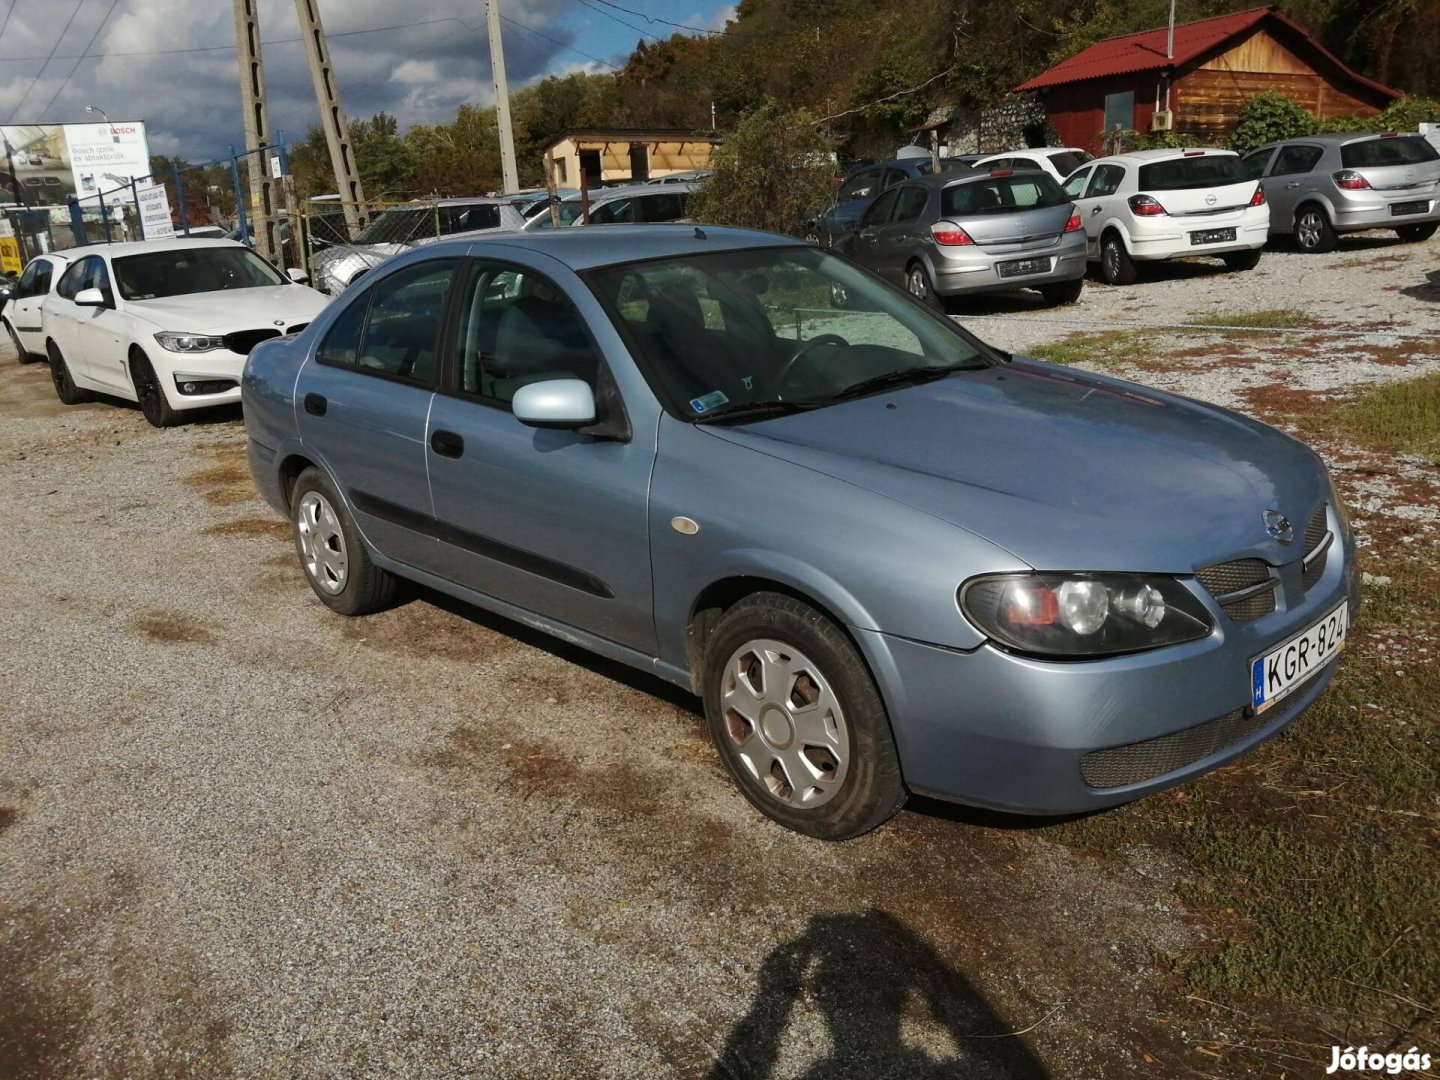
x=773, y=172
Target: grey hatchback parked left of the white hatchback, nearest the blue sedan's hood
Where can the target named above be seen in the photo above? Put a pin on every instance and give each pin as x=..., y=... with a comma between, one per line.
x=974, y=233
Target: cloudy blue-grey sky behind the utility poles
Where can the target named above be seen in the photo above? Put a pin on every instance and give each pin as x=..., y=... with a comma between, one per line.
x=172, y=63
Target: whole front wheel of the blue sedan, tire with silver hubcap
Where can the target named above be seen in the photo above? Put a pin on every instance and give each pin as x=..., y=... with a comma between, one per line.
x=834, y=775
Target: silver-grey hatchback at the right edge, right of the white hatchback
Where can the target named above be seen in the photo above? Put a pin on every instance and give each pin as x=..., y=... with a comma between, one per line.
x=1327, y=185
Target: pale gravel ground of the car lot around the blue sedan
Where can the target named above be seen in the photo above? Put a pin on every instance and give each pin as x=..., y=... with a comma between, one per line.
x=241, y=836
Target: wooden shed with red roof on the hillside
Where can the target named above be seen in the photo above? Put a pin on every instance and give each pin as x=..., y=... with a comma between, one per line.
x=1215, y=67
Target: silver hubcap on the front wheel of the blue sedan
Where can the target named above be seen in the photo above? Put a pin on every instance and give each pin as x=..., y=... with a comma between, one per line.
x=786, y=724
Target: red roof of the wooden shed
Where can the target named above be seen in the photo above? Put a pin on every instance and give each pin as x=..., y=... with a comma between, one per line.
x=1193, y=41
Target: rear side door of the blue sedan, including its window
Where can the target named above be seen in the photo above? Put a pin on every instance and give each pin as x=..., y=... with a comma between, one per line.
x=364, y=402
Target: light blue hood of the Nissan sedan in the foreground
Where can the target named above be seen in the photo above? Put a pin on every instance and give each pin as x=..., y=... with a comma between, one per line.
x=1063, y=470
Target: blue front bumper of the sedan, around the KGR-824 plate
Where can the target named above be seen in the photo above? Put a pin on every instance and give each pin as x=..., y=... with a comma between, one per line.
x=1012, y=734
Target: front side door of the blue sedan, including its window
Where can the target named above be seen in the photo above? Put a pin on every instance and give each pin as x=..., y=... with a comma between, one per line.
x=554, y=522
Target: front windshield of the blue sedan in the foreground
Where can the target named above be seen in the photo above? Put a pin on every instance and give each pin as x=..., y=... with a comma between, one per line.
x=747, y=335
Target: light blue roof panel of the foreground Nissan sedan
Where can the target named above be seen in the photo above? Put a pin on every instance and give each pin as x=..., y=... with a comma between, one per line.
x=604, y=246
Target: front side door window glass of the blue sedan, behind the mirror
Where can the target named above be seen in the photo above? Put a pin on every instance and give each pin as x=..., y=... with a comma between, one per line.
x=521, y=329
